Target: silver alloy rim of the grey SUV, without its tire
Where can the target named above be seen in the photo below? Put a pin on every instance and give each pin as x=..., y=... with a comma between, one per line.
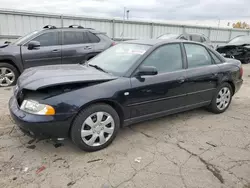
x=7, y=76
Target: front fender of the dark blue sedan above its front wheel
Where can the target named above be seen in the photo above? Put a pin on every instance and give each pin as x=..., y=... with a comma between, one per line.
x=110, y=92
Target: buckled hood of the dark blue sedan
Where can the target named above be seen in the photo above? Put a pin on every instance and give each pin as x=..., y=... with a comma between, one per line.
x=54, y=75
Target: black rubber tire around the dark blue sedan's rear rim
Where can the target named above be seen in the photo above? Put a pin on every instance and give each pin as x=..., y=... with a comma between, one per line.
x=213, y=105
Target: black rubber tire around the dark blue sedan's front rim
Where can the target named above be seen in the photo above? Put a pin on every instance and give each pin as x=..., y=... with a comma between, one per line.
x=82, y=116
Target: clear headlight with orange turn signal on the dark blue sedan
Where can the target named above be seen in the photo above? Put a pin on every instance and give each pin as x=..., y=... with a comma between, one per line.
x=35, y=107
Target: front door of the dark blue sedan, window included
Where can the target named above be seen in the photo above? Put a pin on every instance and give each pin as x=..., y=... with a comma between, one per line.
x=161, y=93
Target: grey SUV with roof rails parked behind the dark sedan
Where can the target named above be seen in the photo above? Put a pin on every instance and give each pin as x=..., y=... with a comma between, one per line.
x=50, y=45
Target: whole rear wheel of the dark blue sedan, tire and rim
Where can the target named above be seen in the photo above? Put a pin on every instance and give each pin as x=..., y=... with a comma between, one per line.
x=222, y=99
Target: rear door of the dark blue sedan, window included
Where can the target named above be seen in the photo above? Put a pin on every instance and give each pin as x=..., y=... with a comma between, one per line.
x=202, y=74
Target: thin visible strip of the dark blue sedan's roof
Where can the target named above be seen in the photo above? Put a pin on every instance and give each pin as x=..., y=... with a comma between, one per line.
x=153, y=42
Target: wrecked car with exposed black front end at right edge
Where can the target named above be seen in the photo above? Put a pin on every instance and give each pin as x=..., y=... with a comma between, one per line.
x=238, y=48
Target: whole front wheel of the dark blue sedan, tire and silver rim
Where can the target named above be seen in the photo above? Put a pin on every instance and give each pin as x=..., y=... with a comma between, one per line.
x=95, y=127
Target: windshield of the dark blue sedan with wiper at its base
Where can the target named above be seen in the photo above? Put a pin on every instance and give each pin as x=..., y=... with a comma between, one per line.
x=119, y=58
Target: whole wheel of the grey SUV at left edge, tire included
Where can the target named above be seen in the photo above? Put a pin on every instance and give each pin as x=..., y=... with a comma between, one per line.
x=8, y=75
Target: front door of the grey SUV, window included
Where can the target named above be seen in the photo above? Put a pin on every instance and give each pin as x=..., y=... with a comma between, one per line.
x=47, y=54
